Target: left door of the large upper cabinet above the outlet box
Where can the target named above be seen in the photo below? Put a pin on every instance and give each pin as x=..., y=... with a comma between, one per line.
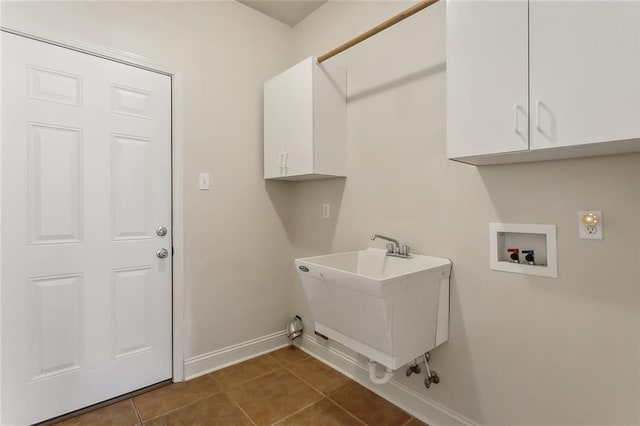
x=487, y=77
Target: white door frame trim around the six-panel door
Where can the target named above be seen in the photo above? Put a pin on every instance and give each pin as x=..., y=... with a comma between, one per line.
x=45, y=35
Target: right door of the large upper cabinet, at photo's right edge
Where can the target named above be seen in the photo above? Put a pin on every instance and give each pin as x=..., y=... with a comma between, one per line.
x=584, y=70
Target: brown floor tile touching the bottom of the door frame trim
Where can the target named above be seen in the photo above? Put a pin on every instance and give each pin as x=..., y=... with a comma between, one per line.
x=162, y=400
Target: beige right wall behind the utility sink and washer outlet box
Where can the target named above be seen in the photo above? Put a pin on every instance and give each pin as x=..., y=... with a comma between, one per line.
x=522, y=349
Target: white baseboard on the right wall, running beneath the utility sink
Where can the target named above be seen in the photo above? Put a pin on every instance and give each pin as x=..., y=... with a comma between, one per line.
x=397, y=393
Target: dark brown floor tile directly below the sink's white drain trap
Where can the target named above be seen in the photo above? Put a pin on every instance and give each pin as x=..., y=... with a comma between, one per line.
x=368, y=407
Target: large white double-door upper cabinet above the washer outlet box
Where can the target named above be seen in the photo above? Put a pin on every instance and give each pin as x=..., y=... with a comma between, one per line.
x=569, y=70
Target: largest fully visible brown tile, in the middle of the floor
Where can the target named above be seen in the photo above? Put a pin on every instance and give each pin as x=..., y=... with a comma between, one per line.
x=272, y=397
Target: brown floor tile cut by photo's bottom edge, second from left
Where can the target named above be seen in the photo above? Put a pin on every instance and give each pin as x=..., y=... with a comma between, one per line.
x=218, y=409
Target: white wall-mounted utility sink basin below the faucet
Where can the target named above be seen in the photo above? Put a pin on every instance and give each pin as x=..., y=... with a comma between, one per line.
x=389, y=309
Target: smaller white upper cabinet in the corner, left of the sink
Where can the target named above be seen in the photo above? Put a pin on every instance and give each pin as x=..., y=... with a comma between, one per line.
x=305, y=123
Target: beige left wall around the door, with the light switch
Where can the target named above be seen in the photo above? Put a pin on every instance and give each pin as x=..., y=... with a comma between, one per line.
x=236, y=249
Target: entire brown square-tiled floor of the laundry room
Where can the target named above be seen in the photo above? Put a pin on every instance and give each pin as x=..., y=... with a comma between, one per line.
x=285, y=387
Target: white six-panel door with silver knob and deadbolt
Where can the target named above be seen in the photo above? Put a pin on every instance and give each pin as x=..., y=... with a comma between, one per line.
x=86, y=181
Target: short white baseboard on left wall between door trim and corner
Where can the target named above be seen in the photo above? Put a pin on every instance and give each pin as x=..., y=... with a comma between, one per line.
x=216, y=360
